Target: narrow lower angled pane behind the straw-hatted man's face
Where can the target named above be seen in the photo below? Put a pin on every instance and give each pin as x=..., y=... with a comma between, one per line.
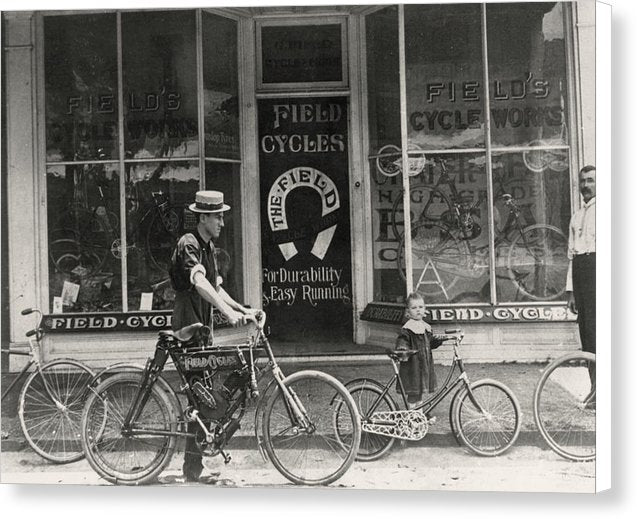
x=225, y=177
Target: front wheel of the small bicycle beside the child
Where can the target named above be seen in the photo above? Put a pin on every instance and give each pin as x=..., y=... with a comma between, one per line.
x=494, y=431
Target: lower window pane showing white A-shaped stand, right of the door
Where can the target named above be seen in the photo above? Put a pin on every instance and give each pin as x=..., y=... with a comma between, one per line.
x=449, y=229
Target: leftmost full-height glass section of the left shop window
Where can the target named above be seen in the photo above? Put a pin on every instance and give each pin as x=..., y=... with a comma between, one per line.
x=83, y=187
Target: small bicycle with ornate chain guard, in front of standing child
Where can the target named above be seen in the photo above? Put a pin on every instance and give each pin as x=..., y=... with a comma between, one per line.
x=484, y=415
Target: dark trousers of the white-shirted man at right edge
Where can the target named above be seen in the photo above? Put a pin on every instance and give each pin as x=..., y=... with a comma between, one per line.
x=584, y=293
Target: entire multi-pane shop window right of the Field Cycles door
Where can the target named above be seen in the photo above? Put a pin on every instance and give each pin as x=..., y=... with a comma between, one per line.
x=475, y=223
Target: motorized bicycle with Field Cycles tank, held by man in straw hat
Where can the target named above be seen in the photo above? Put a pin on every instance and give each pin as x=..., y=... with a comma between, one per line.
x=131, y=420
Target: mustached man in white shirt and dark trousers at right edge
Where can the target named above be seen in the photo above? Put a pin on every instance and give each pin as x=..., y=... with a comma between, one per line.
x=580, y=282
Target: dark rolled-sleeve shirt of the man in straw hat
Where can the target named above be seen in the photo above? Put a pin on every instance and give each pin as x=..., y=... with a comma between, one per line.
x=190, y=307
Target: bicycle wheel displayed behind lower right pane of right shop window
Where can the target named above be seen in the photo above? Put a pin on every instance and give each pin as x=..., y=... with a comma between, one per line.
x=526, y=262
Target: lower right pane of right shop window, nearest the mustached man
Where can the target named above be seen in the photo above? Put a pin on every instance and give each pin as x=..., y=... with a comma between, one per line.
x=532, y=211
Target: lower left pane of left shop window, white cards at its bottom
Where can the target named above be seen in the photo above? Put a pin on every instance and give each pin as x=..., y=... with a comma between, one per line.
x=83, y=230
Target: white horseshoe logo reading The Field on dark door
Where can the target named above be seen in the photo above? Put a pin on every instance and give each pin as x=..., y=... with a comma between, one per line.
x=330, y=203
